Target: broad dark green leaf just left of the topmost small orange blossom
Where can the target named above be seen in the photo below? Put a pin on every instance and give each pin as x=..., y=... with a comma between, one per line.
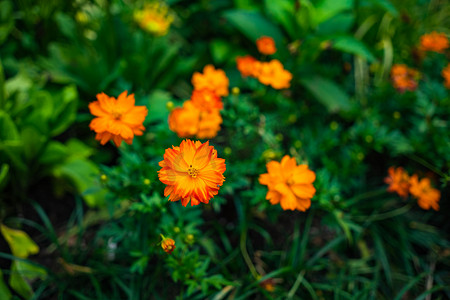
x=253, y=25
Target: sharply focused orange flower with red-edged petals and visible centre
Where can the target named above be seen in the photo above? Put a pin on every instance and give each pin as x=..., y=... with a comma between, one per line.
x=192, y=172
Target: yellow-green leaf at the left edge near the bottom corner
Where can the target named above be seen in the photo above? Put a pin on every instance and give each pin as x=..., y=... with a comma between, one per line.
x=19, y=242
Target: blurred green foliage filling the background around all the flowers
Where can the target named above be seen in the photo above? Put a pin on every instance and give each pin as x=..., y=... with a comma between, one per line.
x=95, y=214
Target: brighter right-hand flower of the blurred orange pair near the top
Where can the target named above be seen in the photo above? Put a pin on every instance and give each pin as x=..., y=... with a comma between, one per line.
x=272, y=73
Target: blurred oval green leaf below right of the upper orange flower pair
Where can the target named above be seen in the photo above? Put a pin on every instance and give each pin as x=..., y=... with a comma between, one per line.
x=328, y=93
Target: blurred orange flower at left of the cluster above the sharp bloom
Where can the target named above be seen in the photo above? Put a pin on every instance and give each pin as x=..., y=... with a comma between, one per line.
x=184, y=121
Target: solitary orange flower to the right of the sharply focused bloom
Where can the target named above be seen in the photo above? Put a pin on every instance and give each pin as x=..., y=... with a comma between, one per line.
x=289, y=184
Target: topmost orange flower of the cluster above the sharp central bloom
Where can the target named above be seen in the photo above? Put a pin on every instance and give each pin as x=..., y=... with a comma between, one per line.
x=213, y=79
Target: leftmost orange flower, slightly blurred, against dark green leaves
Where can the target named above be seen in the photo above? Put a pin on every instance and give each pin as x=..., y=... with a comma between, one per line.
x=117, y=120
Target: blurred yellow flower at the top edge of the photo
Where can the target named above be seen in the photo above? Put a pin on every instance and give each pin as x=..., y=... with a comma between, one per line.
x=154, y=18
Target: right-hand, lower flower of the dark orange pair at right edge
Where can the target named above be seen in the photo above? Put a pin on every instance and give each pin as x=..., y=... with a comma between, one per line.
x=426, y=195
